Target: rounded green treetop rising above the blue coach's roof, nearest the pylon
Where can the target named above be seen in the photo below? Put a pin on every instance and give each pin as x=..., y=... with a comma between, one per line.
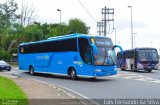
x=77, y=26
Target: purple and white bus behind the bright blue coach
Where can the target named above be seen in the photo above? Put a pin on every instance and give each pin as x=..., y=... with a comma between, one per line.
x=138, y=59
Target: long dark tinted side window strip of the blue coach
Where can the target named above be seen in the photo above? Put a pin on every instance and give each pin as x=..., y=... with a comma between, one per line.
x=52, y=46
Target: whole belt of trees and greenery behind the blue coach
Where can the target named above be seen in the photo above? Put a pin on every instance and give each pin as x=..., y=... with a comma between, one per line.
x=18, y=25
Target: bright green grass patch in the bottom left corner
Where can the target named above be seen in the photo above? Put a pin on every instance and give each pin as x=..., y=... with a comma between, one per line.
x=10, y=93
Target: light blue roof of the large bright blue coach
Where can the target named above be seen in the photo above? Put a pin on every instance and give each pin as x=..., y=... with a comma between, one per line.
x=75, y=35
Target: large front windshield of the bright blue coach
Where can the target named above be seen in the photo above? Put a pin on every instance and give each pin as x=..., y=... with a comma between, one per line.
x=105, y=54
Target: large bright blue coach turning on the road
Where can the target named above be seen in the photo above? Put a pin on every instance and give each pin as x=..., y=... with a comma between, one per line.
x=75, y=55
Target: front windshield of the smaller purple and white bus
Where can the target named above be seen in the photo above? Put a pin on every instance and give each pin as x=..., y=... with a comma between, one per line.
x=148, y=55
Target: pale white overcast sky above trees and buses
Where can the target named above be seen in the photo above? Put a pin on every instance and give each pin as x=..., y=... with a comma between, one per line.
x=145, y=17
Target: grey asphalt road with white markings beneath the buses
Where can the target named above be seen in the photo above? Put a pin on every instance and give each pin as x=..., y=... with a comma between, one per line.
x=126, y=84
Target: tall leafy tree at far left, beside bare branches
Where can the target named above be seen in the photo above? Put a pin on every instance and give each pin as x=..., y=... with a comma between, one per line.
x=7, y=23
